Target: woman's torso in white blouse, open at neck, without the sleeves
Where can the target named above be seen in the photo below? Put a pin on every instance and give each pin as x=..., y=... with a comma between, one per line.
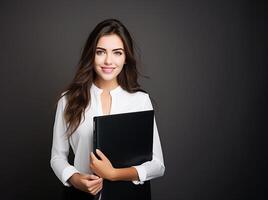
x=102, y=103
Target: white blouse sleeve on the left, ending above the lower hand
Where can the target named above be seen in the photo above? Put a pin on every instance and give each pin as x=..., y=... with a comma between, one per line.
x=60, y=147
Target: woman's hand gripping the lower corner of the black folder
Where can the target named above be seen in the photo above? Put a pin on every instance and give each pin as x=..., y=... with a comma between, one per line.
x=102, y=167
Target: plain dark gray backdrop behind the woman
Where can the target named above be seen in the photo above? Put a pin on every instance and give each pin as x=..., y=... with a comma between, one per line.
x=206, y=62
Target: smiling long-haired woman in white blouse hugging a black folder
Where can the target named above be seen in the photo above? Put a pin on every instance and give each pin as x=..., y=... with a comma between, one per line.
x=105, y=83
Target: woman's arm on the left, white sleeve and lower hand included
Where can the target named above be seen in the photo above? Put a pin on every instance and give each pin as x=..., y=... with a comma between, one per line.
x=67, y=173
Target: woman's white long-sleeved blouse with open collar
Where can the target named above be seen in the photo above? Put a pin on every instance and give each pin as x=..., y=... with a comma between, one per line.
x=81, y=140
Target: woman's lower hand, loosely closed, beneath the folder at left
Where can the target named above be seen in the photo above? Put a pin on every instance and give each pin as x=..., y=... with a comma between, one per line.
x=88, y=183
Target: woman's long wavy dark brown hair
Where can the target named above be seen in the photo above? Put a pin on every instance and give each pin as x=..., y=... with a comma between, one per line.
x=78, y=92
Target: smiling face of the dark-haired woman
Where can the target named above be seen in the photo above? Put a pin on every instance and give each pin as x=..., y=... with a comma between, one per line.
x=109, y=58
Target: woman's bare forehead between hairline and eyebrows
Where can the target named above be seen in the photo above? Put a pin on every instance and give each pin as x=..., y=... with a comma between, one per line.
x=110, y=42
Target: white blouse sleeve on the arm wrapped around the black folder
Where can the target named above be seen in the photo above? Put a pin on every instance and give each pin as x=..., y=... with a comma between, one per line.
x=154, y=168
